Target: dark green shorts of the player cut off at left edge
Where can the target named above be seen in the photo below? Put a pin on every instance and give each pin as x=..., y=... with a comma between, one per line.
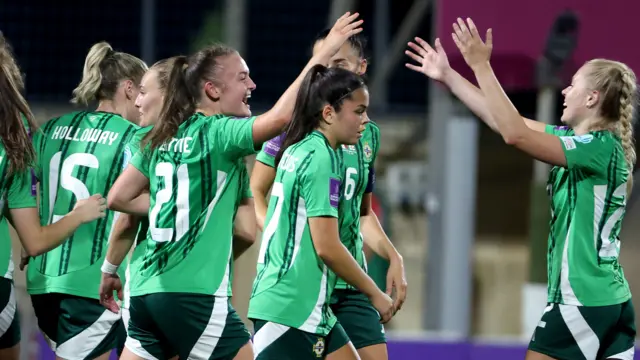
x=9, y=317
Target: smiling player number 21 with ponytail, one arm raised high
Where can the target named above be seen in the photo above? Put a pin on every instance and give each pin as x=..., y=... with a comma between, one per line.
x=180, y=297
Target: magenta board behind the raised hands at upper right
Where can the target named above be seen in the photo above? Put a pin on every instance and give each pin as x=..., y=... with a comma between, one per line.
x=520, y=30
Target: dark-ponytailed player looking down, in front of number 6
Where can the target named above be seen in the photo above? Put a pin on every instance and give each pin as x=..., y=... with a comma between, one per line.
x=301, y=252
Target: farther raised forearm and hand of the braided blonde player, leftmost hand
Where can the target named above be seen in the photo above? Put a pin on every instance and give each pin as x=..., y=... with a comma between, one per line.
x=434, y=64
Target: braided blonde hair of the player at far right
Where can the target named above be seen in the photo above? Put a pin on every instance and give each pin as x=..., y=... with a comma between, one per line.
x=616, y=83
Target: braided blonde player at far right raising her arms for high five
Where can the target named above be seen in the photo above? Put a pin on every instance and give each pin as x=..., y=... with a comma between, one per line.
x=589, y=314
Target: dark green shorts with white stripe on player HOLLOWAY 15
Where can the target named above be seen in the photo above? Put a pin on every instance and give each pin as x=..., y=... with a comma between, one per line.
x=76, y=327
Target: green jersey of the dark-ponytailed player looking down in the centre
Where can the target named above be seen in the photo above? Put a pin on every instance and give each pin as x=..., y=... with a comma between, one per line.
x=293, y=285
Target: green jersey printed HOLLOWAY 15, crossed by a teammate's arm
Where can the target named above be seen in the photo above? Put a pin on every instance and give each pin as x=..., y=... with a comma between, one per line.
x=78, y=155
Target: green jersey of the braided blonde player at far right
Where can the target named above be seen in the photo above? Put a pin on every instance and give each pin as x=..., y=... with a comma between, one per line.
x=588, y=200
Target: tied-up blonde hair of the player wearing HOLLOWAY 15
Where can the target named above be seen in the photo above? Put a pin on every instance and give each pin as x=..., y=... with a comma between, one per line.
x=103, y=71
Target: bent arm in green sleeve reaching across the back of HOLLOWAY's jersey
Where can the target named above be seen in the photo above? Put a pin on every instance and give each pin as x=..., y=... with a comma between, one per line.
x=23, y=215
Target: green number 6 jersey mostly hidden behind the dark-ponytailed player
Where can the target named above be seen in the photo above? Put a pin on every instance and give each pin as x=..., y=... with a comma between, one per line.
x=359, y=178
